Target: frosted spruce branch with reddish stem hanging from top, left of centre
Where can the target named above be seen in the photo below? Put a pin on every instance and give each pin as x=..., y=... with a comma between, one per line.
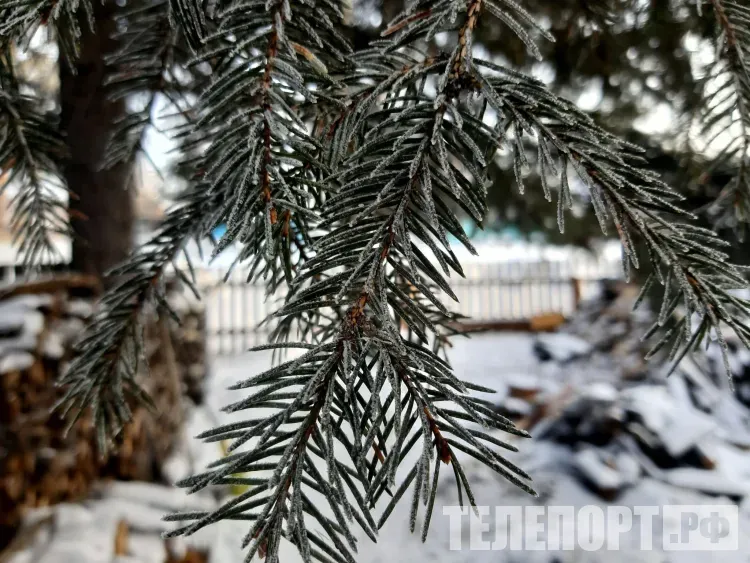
x=259, y=142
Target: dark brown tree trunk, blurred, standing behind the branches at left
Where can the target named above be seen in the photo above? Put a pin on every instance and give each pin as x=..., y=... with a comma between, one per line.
x=101, y=207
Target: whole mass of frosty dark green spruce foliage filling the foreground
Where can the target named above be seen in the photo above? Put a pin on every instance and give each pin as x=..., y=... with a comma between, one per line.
x=341, y=176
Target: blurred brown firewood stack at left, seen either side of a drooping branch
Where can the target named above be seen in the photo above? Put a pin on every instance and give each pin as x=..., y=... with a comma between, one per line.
x=40, y=464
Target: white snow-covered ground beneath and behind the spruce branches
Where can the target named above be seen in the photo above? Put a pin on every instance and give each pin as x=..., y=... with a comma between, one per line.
x=560, y=470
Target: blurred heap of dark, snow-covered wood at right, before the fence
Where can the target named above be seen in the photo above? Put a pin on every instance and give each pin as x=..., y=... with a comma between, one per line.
x=616, y=419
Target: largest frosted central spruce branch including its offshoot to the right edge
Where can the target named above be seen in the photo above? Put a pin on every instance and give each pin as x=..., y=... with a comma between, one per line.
x=403, y=158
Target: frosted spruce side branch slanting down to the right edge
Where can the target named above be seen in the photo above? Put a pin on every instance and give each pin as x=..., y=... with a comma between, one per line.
x=687, y=260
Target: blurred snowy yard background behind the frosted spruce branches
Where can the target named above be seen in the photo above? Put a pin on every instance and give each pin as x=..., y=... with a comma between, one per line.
x=552, y=318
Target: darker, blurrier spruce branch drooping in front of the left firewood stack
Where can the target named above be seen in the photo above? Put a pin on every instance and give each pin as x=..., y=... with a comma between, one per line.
x=104, y=373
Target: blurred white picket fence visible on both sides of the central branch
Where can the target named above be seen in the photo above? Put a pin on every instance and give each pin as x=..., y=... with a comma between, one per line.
x=510, y=281
